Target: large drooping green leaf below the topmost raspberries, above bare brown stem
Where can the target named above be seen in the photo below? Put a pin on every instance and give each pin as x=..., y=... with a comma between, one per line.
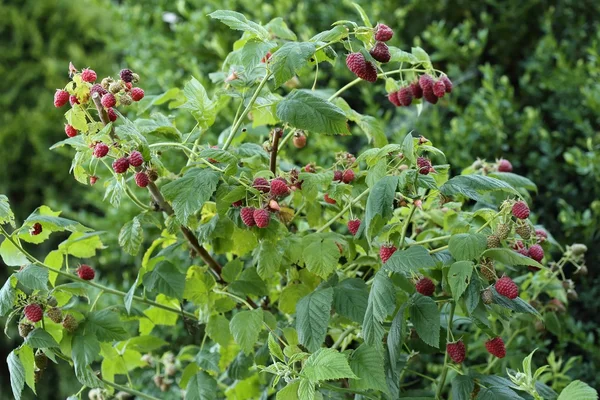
x=303, y=110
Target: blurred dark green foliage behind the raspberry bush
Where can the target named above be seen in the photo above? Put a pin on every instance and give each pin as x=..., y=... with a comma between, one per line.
x=527, y=76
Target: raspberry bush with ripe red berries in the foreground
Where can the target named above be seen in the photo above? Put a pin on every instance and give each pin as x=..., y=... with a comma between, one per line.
x=377, y=276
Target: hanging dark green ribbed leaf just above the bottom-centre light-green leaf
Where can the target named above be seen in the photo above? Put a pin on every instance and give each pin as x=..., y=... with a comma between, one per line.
x=312, y=318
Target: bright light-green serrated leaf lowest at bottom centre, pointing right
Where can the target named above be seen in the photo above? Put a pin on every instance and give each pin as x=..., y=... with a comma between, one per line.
x=327, y=364
